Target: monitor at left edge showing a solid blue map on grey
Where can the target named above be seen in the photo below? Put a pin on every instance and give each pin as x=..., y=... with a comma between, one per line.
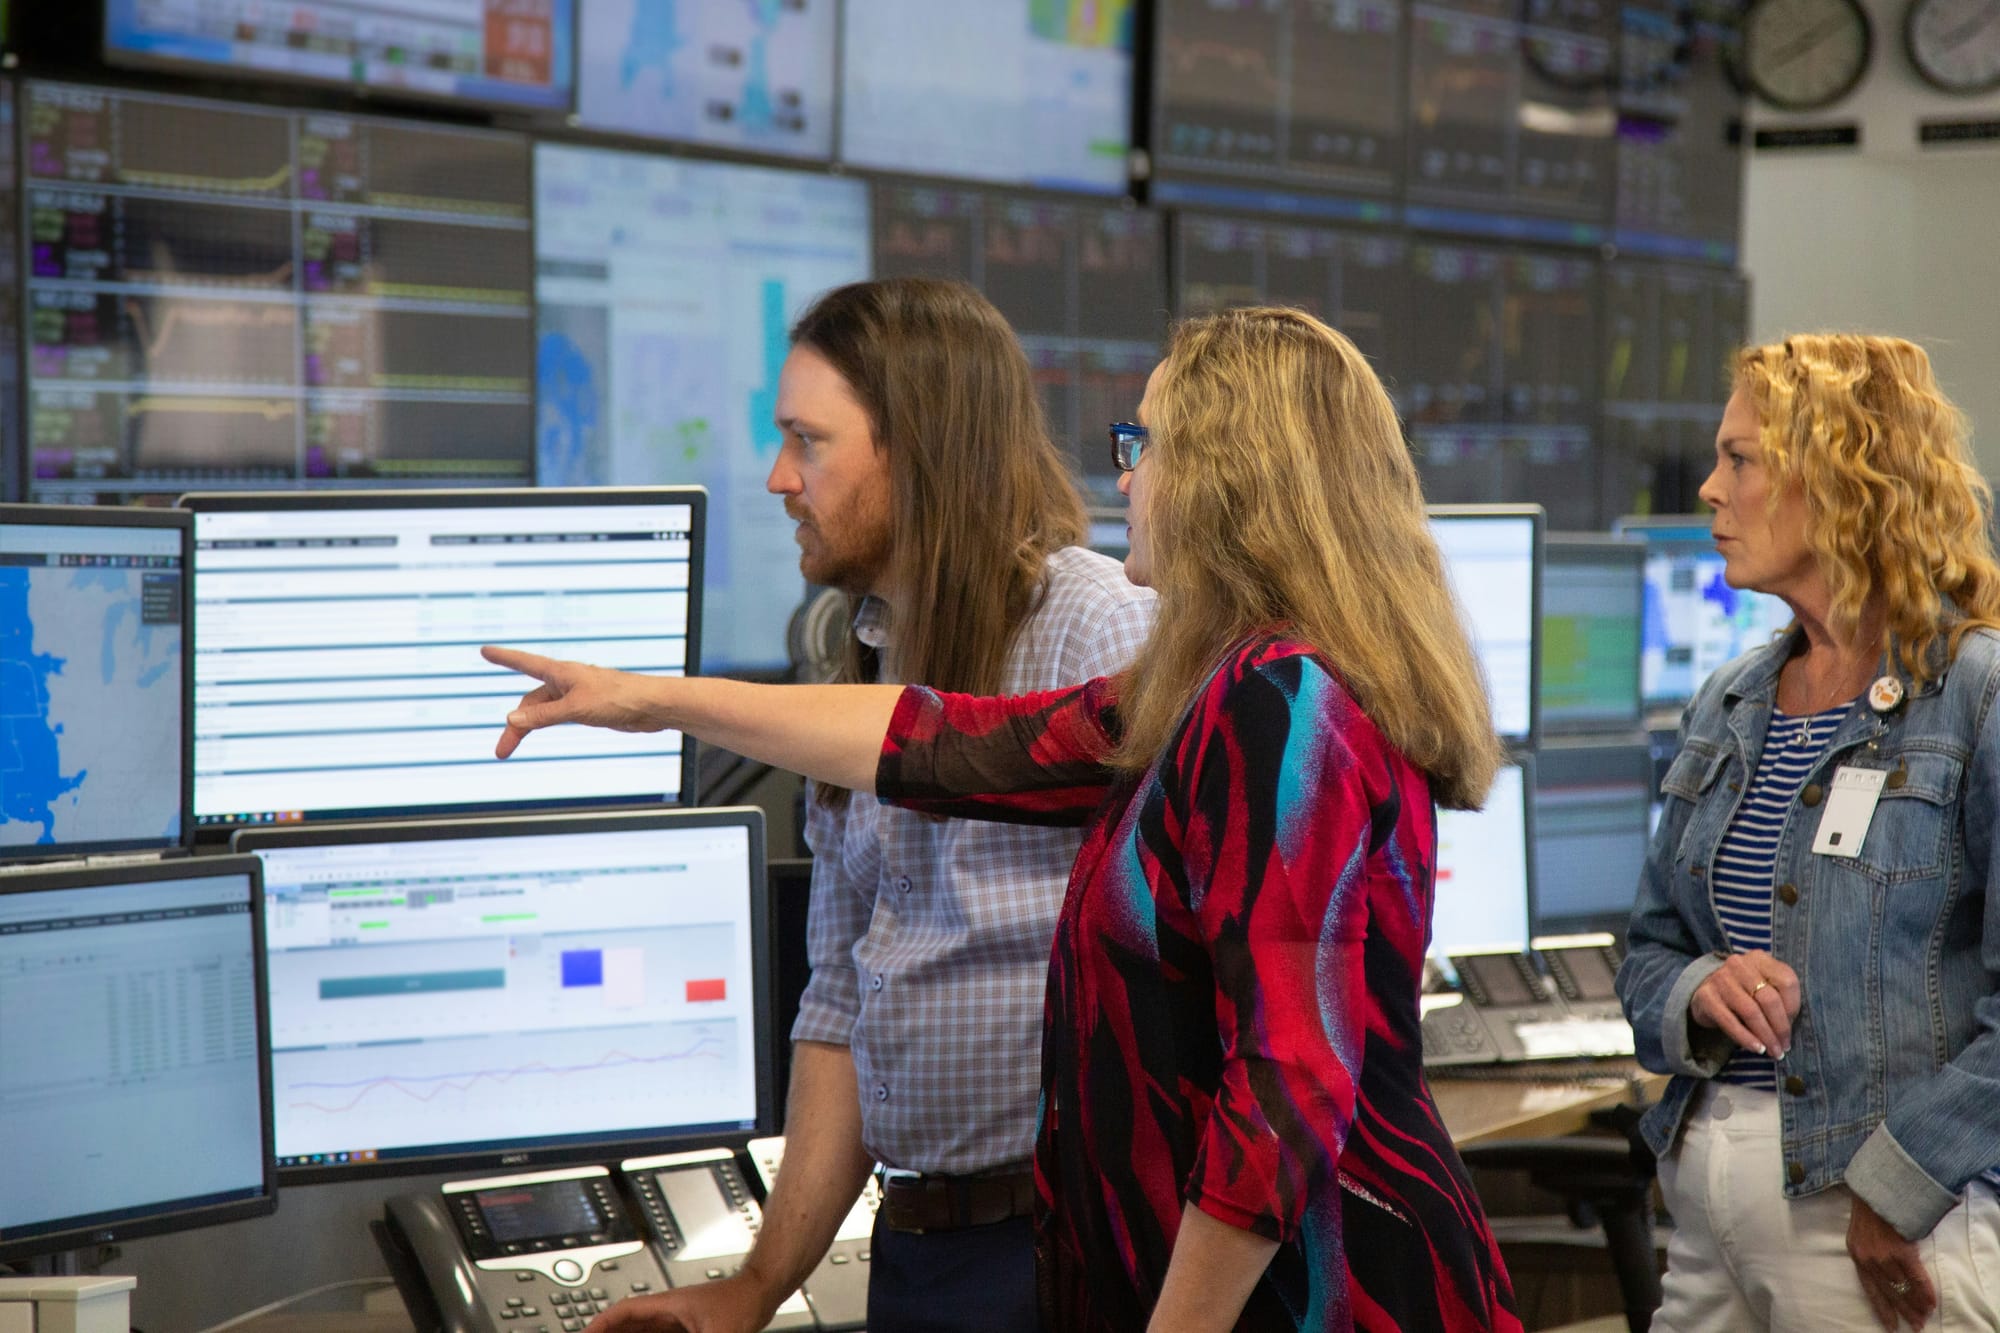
x=95, y=682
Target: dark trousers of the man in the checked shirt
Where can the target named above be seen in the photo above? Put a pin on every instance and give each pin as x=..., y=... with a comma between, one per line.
x=979, y=1280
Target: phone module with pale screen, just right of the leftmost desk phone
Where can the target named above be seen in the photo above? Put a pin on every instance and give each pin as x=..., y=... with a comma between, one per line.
x=703, y=1220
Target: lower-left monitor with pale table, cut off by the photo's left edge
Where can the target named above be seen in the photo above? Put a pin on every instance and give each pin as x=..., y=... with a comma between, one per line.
x=135, y=1086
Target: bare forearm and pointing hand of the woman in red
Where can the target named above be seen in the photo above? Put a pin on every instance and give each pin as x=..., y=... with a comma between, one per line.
x=831, y=734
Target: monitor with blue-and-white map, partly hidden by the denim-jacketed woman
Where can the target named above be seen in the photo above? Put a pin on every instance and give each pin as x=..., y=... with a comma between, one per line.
x=1695, y=619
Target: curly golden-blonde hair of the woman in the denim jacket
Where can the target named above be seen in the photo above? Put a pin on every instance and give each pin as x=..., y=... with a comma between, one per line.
x=1895, y=505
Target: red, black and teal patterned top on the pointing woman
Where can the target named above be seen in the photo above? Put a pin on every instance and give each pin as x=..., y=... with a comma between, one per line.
x=1233, y=1002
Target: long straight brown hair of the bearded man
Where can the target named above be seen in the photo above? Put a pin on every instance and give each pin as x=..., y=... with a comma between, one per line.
x=979, y=495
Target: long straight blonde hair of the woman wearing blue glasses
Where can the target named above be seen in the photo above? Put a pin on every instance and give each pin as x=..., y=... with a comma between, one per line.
x=1283, y=497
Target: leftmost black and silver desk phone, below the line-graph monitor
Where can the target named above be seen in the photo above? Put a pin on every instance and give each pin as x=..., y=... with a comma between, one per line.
x=533, y=1254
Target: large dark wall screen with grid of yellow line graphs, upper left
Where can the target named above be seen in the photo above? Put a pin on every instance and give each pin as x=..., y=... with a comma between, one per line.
x=221, y=295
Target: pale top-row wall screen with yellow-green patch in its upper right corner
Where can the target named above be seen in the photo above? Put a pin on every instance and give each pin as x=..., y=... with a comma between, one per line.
x=1029, y=93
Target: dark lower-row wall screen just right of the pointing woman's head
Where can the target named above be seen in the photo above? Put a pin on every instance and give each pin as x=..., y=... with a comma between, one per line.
x=1499, y=383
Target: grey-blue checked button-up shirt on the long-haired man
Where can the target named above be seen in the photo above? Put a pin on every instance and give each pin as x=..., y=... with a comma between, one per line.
x=929, y=940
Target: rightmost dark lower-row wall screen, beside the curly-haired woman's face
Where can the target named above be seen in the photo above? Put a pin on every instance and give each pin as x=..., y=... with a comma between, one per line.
x=1669, y=335
